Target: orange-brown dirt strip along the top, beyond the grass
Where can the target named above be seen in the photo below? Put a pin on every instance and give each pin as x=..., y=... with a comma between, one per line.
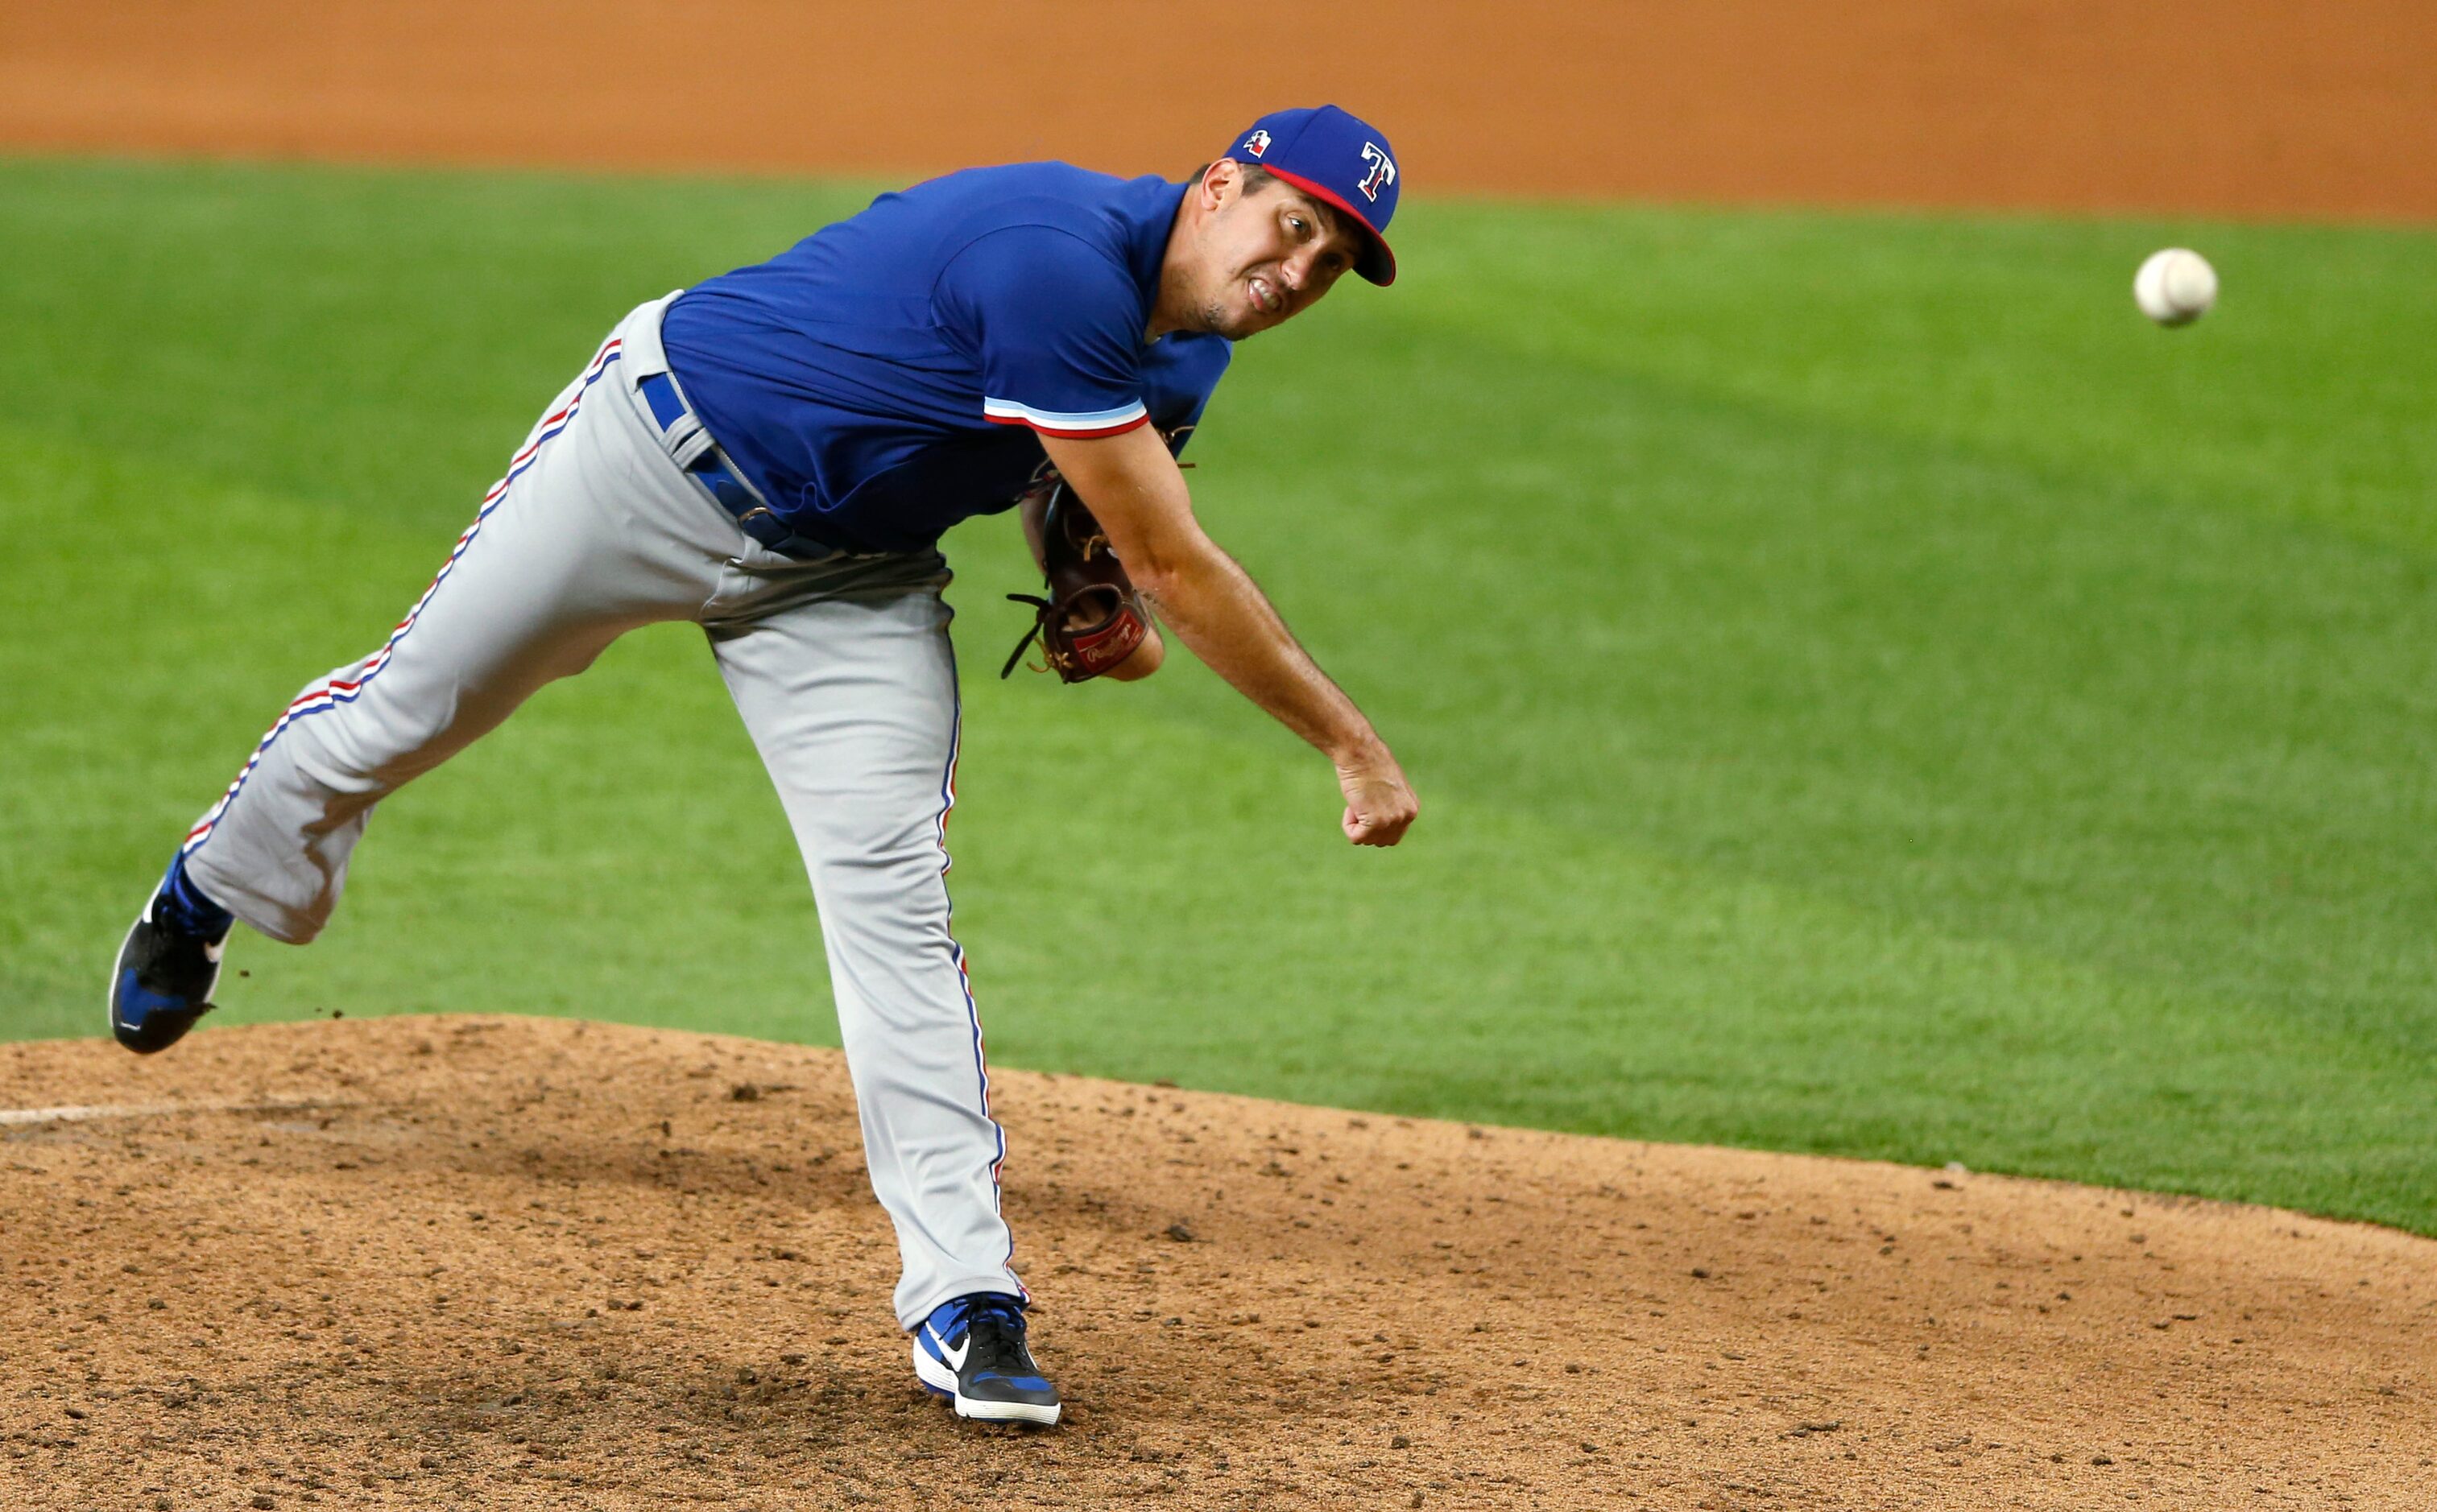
x=2168, y=106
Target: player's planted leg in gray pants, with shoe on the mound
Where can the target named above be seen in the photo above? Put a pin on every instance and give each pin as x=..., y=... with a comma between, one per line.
x=847, y=683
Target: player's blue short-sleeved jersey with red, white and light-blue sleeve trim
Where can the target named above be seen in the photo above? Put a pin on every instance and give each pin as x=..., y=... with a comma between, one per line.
x=896, y=371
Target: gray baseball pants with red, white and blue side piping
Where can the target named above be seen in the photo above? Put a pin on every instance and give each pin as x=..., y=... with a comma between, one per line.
x=847, y=683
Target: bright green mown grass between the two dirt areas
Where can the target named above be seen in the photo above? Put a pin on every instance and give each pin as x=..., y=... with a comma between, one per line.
x=1870, y=690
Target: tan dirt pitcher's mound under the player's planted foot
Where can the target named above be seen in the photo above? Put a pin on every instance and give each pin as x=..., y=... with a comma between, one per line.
x=511, y=1262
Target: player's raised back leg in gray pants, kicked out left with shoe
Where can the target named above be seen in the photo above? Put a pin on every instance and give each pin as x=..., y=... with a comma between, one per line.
x=586, y=537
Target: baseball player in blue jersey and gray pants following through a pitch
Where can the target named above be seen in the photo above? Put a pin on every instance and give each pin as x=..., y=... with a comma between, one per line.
x=776, y=457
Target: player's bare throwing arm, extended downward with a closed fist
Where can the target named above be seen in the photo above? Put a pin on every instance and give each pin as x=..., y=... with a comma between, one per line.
x=1139, y=495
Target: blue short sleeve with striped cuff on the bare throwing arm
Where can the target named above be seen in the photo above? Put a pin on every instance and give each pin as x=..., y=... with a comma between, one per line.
x=1056, y=330
